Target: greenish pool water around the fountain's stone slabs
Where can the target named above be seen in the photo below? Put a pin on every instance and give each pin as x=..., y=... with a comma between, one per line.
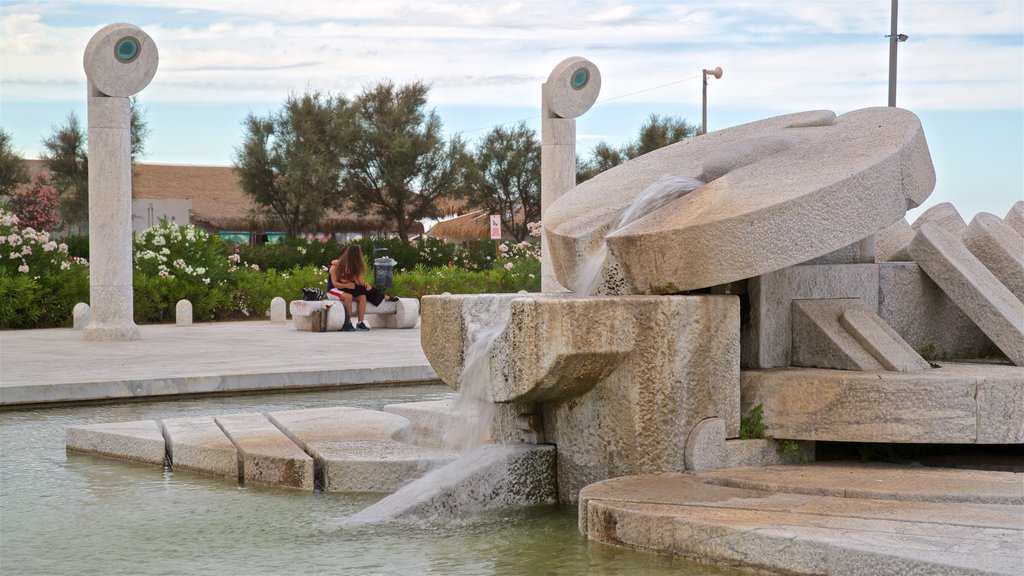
x=69, y=514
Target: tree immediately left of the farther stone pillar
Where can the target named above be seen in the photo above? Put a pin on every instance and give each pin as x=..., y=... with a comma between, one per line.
x=507, y=179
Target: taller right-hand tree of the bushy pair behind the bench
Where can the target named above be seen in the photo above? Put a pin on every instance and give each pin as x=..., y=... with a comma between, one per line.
x=398, y=162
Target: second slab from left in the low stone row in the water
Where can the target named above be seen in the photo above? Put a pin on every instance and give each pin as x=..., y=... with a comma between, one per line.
x=197, y=444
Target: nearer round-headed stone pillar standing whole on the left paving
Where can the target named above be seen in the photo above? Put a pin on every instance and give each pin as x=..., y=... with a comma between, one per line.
x=120, y=61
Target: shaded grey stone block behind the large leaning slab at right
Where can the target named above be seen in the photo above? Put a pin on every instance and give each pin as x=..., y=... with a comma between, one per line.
x=925, y=317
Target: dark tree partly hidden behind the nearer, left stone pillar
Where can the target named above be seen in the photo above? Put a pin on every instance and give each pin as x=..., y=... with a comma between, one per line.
x=67, y=159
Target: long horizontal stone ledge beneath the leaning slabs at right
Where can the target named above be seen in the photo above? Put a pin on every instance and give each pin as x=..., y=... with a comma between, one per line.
x=954, y=404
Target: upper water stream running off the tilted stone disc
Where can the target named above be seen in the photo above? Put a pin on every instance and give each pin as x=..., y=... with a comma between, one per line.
x=662, y=193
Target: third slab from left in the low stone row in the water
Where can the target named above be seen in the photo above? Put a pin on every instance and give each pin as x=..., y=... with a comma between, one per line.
x=269, y=457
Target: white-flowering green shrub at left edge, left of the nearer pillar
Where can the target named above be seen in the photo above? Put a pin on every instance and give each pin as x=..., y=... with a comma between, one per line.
x=39, y=281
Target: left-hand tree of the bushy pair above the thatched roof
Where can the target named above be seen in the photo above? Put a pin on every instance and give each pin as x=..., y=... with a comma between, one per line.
x=290, y=163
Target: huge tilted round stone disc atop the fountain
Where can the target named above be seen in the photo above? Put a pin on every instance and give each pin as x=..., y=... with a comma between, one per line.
x=863, y=171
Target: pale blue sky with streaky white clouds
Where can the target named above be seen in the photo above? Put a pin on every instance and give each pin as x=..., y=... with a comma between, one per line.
x=962, y=70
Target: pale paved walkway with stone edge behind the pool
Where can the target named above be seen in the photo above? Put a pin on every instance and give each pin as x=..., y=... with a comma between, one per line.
x=58, y=365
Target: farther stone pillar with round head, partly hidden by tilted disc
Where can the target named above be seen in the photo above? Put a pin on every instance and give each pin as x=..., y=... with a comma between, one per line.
x=571, y=91
